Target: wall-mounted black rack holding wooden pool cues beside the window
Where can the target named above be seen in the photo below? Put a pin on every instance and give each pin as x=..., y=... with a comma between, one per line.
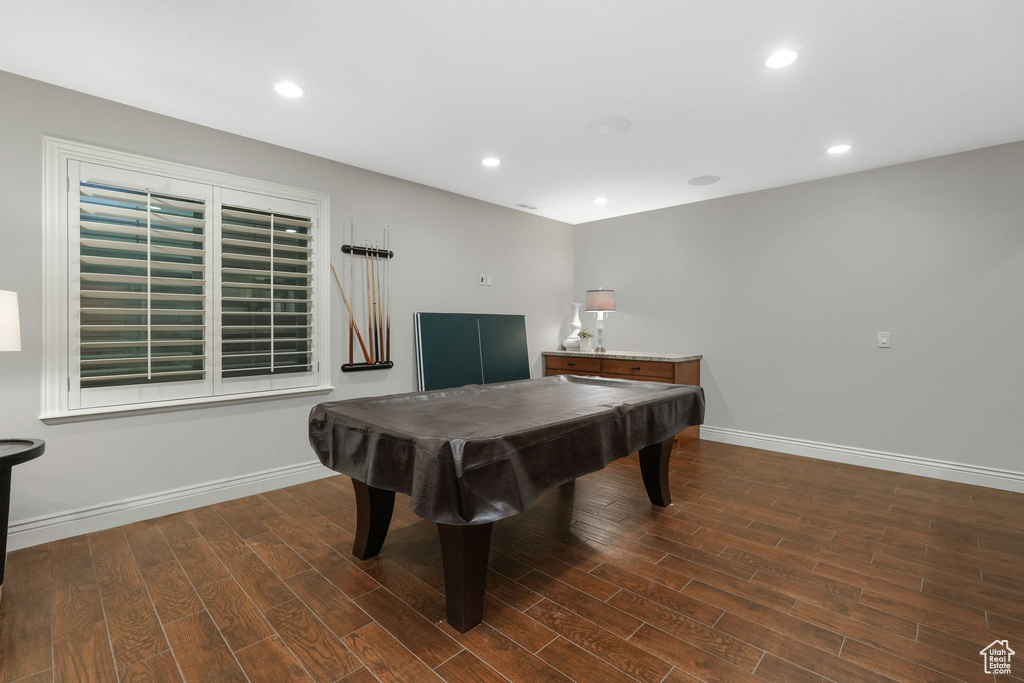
x=367, y=277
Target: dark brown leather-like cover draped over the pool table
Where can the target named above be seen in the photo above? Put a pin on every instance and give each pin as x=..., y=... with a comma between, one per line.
x=482, y=453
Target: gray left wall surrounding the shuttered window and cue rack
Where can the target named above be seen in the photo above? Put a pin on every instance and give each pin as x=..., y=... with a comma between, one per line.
x=443, y=242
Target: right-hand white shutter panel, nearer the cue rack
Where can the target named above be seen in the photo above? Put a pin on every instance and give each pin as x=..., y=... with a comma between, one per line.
x=267, y=314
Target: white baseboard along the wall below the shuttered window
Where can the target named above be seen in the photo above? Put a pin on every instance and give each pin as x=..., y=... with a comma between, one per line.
x=83, y=521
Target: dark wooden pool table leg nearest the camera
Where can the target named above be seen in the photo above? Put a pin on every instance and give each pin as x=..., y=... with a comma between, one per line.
x=464, y=554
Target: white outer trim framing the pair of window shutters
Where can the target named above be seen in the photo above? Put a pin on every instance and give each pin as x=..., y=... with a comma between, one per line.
x=56, y=343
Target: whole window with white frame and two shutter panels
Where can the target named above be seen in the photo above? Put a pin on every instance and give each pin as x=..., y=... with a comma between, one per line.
x=170, y=286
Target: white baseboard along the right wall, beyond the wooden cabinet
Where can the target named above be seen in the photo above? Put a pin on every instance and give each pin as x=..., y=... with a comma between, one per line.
x=940, y=469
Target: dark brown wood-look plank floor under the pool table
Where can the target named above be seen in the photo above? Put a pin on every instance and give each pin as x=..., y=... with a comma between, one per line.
x=767, y=568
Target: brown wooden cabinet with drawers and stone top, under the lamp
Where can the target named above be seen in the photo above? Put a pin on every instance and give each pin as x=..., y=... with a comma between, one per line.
x=667, y=368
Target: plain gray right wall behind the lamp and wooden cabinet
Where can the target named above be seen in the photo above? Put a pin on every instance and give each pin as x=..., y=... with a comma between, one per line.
x=785, y=290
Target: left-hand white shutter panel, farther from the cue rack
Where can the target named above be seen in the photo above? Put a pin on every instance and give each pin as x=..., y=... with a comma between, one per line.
x=141, y=277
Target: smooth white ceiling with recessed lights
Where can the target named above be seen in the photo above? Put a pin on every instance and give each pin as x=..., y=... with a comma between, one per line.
x=424, y=91
